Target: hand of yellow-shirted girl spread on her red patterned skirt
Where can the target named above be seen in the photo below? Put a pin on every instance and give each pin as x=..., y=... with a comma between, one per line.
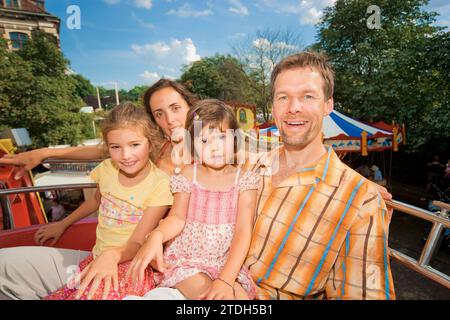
x=103, y=268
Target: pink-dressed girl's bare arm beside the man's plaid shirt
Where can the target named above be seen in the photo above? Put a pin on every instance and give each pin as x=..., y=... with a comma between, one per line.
x=223, y=287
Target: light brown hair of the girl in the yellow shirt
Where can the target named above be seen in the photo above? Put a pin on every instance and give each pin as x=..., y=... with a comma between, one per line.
x=129, y=116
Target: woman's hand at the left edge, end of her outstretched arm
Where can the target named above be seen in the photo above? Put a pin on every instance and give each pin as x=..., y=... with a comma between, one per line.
x=23, y=161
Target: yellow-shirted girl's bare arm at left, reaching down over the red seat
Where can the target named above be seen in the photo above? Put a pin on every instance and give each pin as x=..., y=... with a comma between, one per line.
x=55, y=230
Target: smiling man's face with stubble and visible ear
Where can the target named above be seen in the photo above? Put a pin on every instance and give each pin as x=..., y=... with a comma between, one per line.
x=299, y=106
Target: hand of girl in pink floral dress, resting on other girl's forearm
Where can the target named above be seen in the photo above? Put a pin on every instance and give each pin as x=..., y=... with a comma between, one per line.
x=151, y=250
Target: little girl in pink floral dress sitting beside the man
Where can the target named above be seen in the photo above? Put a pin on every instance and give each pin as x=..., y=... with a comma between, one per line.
x=209, y=227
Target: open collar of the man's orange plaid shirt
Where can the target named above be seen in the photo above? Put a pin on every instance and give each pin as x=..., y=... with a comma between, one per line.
x=324, y=170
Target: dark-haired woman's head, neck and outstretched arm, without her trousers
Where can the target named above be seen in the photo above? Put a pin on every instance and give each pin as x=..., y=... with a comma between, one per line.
x=167, y=103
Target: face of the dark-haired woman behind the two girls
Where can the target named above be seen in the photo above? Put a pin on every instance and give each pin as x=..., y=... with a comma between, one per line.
x=169, y=110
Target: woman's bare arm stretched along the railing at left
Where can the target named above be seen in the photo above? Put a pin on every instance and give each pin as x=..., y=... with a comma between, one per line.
x=30, y=159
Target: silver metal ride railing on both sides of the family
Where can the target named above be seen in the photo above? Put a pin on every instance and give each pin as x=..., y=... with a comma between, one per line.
x=421, y=266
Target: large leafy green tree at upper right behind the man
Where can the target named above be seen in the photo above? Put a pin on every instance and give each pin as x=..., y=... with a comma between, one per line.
x=397, y=72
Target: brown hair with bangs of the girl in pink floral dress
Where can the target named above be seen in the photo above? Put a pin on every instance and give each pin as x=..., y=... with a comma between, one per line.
x=213, y=113
